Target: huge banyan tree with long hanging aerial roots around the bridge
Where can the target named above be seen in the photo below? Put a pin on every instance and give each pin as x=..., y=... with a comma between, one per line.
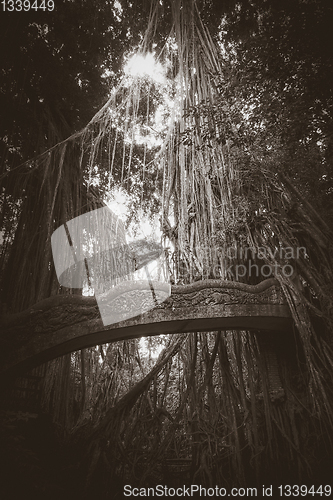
x=227, y=408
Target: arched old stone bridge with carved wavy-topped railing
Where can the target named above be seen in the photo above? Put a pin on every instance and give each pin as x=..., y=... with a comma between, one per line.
x=66, y=323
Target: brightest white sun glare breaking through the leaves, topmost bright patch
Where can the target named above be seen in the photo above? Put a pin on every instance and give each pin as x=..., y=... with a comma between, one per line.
x=139, y=66
